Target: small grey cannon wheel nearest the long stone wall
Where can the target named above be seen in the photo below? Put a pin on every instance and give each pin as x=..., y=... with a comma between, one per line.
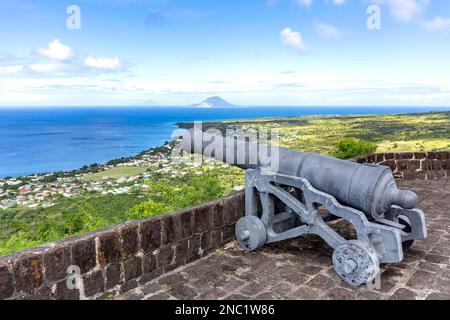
x=250, y=233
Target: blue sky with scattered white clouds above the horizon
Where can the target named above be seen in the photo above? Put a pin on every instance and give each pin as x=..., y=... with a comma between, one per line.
x=252, y=52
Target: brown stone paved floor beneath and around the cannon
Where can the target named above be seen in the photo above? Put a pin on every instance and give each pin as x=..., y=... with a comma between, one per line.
x=301, y=268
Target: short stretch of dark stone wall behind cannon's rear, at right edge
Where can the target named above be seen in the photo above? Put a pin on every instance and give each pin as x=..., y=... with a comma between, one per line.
x=413, y=165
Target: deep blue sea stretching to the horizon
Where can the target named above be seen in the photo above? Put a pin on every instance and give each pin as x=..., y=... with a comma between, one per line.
x=38, y=140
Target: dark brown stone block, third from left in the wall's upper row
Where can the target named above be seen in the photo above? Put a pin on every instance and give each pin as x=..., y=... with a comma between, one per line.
x=56, y=263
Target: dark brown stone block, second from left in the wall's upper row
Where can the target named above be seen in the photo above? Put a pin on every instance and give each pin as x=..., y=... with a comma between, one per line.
x=28, y=273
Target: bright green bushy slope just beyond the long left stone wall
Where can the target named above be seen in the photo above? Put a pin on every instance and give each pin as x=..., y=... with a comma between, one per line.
x=21, y=228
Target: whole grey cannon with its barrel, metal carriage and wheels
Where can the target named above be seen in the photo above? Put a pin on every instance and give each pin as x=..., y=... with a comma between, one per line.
x=301, y=193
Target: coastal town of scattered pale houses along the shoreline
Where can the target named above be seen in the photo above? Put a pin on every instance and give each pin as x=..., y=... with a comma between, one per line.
x=43, y=190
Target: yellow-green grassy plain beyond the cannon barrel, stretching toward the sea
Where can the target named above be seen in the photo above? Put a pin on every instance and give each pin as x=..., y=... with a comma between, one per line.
x=391, y=133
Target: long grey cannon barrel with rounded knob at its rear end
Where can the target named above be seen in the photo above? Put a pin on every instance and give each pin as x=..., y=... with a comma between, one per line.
x=369, y=188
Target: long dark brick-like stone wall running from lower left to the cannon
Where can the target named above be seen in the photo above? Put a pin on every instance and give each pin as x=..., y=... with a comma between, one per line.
x=117, y=259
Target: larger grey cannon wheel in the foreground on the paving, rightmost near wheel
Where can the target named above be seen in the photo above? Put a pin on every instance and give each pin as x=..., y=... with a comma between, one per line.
x=356, y=262
